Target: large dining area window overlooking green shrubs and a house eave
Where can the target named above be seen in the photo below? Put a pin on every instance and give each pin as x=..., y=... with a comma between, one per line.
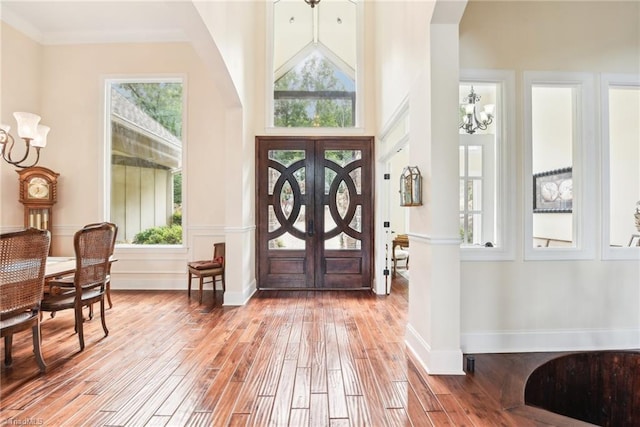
x=143, y=123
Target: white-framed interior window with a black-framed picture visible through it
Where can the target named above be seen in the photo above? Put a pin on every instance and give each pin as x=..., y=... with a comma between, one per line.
x=559, y=157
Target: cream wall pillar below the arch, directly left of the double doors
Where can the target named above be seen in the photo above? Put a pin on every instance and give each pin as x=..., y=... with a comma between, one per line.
x=238, y=29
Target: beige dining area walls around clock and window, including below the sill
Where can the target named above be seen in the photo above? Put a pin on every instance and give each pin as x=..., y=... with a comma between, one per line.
x=71, y=102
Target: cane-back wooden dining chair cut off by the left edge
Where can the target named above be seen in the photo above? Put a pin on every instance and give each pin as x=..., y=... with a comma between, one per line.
x=23, y=258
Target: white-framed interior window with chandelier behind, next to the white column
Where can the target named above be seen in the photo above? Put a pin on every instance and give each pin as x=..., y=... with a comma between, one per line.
x=487, y=173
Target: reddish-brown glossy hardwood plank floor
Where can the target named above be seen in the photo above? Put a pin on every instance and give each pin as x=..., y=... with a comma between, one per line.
x=297, y=358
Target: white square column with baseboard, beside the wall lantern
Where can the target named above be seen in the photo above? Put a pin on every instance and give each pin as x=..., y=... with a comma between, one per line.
x=433, y=330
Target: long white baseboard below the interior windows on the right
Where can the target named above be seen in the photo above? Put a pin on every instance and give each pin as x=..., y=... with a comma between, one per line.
x=542, y=341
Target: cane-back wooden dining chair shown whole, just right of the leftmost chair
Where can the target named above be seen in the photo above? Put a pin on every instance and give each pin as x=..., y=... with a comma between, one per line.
x=92, y=246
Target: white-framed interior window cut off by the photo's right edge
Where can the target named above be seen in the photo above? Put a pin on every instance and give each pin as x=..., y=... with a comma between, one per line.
x=620, y=103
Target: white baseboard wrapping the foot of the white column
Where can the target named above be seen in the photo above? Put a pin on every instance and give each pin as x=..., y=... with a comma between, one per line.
x=435, y=362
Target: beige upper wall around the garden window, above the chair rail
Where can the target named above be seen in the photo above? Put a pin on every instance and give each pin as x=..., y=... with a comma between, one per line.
x=73, y=103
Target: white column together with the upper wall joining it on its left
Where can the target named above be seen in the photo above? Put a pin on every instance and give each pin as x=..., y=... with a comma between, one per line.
x=416, y=62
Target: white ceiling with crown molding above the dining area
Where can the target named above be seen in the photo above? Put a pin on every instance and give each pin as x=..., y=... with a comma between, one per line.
x=71, y=22
